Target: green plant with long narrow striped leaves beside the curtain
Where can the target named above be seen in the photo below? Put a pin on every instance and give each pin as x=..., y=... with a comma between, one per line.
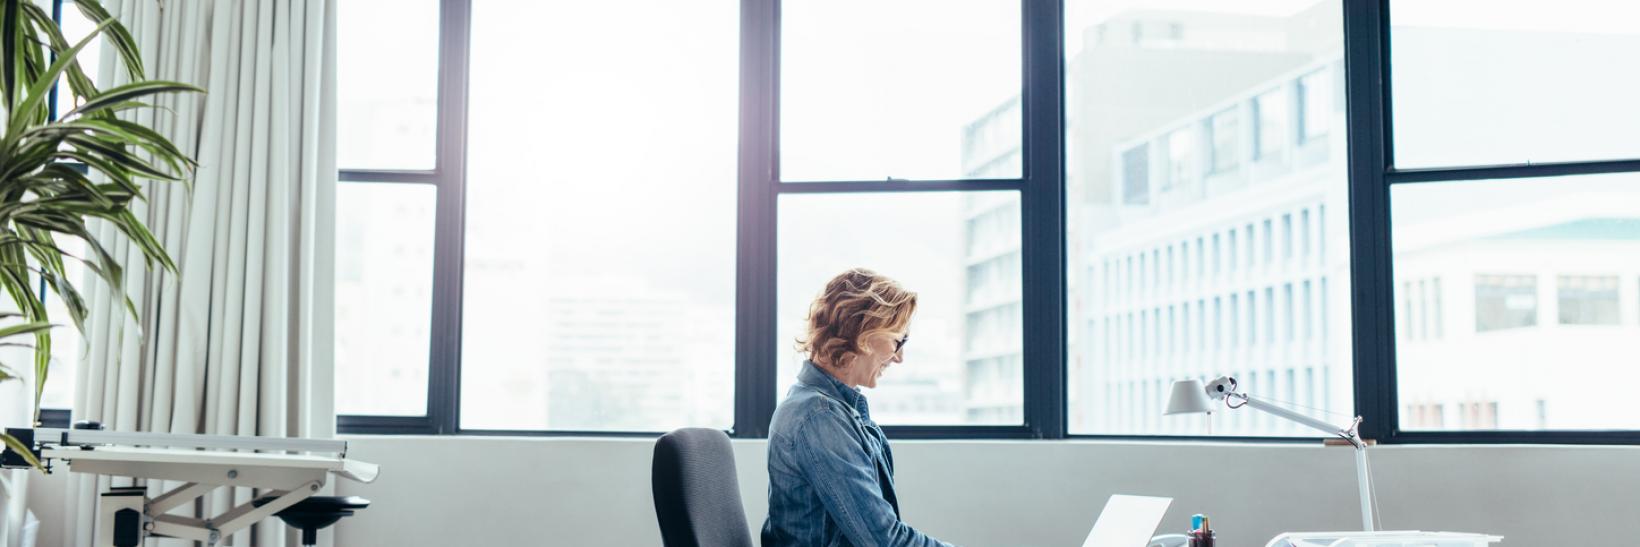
x=60, y=174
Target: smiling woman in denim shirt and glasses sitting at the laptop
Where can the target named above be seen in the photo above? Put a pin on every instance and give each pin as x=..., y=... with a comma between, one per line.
x=831, y=469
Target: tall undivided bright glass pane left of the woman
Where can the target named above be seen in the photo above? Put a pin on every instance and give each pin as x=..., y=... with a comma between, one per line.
x=601, y=219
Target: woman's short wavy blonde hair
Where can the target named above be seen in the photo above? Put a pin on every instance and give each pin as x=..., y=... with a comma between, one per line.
x=854, y=307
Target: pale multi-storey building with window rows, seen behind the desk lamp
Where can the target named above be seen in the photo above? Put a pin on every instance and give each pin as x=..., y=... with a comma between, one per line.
x=1226, y=258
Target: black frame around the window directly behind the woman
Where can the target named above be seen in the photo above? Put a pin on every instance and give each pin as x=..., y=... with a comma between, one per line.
x=1042, y=225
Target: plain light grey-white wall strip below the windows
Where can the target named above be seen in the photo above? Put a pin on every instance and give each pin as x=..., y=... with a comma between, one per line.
x=596, y=492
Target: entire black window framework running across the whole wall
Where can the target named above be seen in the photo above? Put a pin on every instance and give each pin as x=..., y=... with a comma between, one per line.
x=1372, y=174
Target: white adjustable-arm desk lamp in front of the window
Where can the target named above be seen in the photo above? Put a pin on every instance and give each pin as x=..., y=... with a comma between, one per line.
x=1190, y=397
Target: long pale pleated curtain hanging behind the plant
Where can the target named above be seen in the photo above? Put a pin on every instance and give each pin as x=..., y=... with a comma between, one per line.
x=239, y=341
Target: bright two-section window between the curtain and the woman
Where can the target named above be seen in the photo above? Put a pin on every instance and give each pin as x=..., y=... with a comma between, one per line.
x=517, y=250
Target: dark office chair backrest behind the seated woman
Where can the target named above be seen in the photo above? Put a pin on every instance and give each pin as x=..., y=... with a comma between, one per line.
x=696, y=492
